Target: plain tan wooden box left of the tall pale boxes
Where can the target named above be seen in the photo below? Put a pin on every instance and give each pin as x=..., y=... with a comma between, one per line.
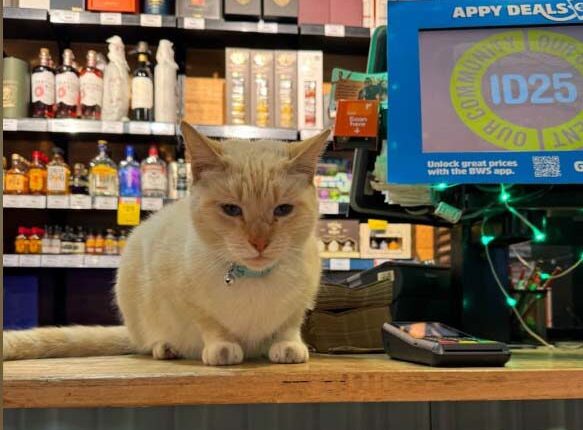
x=204, y=101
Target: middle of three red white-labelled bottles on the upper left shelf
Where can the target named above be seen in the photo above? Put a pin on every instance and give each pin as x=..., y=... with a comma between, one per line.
x=67, y=81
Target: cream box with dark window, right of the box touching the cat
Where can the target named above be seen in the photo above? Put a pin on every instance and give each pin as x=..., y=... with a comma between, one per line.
x=393, y=241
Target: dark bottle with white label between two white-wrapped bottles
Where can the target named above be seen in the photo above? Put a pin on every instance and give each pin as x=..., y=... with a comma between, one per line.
x=142, y=102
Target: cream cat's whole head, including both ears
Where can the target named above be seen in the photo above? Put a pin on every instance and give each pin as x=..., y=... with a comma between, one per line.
x=255, y=201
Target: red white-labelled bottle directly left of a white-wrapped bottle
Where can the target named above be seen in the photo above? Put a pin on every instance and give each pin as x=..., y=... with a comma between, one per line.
x=91, y=84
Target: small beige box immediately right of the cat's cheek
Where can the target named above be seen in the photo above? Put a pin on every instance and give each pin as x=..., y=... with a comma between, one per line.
x=338, y=239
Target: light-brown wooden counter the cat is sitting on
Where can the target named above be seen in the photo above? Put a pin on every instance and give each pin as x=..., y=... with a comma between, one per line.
x=141, y=381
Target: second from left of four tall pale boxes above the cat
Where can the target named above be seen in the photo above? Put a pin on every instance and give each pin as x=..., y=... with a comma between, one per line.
x=262, y=99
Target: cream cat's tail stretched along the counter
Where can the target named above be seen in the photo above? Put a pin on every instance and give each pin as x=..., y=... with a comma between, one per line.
x=75, y=341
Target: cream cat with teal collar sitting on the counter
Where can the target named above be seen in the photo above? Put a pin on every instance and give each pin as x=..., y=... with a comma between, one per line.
x=225, y=274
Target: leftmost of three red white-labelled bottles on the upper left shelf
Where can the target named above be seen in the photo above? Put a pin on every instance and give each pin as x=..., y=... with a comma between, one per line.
x=43, y=86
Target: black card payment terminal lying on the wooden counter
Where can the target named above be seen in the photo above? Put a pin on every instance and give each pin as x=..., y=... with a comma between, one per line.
x=436, y=344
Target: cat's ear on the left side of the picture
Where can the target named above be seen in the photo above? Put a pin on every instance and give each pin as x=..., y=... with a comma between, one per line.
x=205, y=154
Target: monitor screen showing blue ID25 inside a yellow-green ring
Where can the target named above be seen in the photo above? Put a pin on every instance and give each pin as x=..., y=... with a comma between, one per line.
x=494, y=90
